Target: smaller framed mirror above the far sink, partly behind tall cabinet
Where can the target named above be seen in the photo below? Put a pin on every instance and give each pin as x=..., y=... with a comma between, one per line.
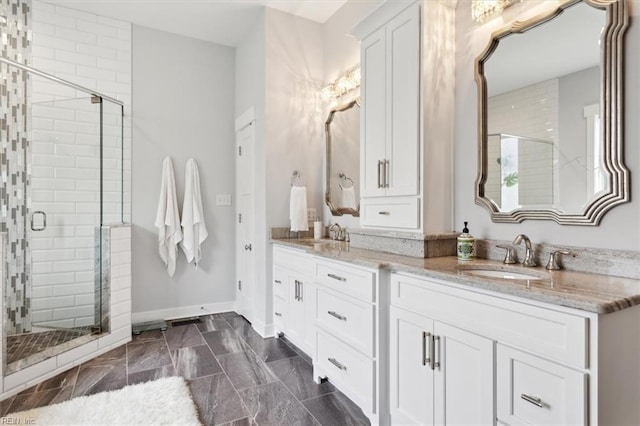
x=342, y=130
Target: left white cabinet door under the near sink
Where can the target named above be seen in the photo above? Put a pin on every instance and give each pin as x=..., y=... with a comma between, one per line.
x=411, y=374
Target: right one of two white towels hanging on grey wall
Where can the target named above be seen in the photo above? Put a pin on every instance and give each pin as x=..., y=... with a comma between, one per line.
x=193, y=226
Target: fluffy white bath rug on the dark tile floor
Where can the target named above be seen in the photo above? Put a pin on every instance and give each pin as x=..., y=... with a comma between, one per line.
x=165, y=401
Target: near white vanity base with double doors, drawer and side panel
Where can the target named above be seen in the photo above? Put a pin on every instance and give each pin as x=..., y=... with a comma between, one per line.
x=469, y=356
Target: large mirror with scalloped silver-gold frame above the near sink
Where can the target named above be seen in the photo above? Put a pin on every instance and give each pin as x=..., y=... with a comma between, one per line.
x=550, y=116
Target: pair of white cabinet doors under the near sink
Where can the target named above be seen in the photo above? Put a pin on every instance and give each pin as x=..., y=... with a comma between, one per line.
x=440, y=374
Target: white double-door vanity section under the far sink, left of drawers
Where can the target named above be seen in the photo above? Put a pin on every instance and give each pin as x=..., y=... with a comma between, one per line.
x=294, y=297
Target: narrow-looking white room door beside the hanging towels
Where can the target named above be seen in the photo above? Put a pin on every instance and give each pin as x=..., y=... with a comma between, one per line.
x=245, y=220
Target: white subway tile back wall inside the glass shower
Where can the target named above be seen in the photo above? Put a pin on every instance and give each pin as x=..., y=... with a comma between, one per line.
x=94, y=52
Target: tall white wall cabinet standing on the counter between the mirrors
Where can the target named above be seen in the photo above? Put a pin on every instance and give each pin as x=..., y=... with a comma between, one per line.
x=396, y=140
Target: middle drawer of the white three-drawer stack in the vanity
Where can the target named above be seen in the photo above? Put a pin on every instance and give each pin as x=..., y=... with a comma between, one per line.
x=347, y=318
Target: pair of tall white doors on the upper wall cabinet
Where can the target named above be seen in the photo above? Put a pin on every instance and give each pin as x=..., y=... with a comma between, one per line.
x=390, y=128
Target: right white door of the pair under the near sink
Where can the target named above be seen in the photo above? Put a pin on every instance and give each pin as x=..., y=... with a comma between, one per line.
x=464, y=392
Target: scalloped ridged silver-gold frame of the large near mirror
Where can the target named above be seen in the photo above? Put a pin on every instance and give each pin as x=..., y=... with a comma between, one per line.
x=611, y=104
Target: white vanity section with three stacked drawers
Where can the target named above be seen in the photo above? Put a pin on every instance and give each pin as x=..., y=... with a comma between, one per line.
x=351, y=349
